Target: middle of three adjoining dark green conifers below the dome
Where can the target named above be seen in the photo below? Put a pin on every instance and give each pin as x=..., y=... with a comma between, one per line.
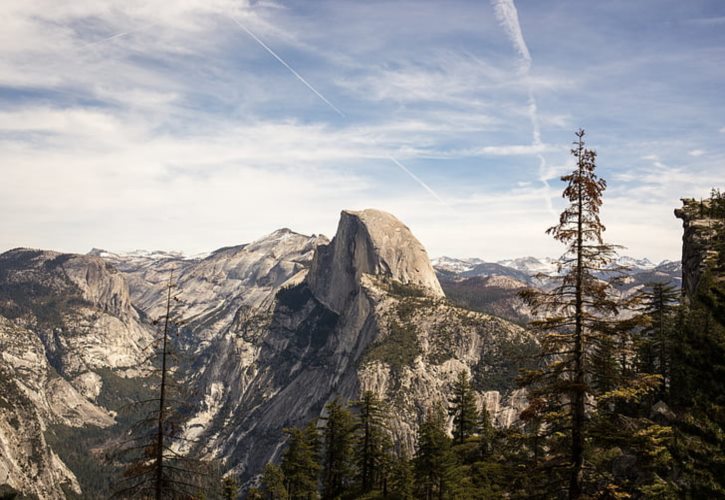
x=337, y=462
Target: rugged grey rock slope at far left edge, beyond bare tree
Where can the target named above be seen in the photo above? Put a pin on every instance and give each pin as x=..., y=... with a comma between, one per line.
x=63, y=319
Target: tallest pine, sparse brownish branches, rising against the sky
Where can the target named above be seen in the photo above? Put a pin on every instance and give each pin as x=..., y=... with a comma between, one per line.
x=574, y=324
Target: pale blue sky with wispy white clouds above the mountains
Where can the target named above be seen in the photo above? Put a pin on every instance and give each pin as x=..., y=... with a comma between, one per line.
x=196, y=124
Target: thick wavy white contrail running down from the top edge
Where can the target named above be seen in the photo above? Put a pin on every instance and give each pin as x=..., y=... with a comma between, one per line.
x=508, y=17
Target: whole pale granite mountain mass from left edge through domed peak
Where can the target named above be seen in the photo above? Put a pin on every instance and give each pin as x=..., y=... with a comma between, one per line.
x=272, y=331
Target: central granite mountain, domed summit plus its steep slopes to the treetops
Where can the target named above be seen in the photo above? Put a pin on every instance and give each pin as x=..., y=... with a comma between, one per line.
x=369, y=314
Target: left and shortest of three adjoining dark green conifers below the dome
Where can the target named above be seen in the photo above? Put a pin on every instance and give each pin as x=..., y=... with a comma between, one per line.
x=300, y=464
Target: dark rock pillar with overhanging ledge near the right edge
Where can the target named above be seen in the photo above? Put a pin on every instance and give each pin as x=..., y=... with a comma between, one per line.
x=697, y=251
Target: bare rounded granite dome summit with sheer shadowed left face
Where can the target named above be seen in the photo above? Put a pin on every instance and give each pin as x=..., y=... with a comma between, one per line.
x=369, y=242
